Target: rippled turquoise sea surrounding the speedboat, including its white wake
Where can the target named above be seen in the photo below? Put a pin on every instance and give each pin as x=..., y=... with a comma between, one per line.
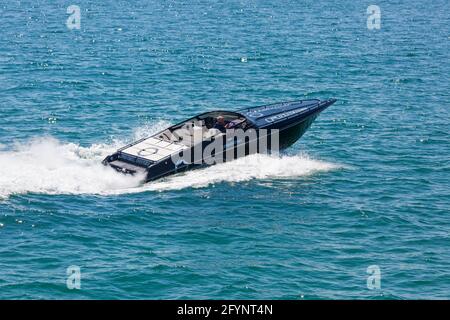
x=369, y=183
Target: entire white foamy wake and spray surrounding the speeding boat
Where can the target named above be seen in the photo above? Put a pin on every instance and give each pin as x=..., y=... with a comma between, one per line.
x=46, y=165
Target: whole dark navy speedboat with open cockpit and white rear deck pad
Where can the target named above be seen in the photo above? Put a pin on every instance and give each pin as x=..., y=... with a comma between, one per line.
x=217, y=136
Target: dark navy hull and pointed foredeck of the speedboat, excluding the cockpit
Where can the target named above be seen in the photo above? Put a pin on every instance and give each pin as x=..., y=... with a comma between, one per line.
x=278, y=126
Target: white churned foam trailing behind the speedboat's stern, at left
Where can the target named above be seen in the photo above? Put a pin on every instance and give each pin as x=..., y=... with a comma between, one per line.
x=45, y=165
